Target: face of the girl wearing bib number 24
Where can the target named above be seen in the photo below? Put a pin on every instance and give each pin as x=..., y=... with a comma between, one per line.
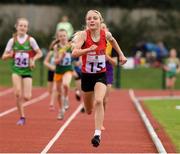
x=22, y=27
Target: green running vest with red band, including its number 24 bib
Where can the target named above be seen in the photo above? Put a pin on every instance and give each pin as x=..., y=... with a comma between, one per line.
x=21, y=60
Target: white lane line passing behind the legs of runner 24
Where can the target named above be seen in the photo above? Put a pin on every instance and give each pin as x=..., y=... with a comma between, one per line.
x=32, y=101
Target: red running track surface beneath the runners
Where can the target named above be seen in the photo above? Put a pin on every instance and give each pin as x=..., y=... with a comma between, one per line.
x=125, y=131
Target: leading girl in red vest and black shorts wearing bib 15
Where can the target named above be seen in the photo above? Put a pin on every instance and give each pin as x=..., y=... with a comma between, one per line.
x=91, y=45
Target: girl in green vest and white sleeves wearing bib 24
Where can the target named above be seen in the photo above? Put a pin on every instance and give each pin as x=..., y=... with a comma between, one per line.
x=21, y=48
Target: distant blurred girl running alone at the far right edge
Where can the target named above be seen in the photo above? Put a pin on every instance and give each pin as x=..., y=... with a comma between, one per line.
x=172, y=67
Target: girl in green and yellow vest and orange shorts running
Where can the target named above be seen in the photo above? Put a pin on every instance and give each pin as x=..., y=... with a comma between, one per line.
x=63, y=72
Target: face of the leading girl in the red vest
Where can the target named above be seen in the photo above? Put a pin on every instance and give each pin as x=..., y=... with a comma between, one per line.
x=93, y=20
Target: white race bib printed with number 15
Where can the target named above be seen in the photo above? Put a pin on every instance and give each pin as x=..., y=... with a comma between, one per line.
x=95, y=63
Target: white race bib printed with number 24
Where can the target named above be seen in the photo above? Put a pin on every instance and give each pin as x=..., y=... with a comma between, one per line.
x=21, y=59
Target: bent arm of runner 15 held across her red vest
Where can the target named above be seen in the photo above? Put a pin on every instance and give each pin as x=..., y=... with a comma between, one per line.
x=78, y=42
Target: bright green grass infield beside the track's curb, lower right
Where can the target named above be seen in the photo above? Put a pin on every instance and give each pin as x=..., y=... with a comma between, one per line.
x=166, y=112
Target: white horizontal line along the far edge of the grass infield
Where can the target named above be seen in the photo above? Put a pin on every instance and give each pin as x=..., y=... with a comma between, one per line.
x=158, y=97
